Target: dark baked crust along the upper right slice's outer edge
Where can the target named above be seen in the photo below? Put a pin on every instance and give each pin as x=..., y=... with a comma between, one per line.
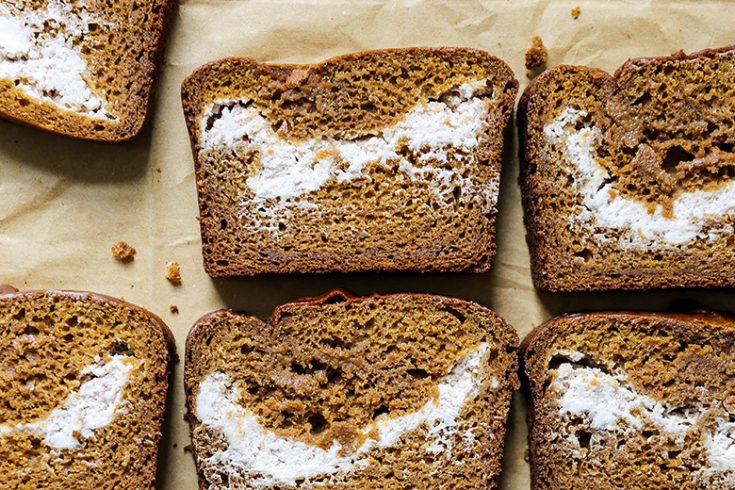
x=528, y=116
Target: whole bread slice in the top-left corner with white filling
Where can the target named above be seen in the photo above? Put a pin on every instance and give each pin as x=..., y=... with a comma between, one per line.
x=81, y=68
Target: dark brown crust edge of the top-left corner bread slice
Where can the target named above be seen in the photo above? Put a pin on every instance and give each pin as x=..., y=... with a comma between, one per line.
x=80, y=127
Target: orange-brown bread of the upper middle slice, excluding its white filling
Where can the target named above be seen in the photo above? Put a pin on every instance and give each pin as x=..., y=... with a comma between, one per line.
x=382, y=221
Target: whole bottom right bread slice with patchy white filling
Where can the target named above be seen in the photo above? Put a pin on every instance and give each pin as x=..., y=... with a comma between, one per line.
x=632, y=400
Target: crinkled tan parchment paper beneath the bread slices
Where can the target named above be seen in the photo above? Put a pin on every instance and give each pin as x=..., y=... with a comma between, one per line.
x=66, y=202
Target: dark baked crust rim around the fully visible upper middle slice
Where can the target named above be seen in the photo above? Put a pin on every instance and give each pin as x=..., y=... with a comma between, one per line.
x=191, y=97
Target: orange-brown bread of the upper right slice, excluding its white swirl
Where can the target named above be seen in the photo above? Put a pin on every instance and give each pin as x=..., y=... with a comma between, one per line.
x=666, y=128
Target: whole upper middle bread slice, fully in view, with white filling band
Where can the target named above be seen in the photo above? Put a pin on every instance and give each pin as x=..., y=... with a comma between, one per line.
x=377, y=161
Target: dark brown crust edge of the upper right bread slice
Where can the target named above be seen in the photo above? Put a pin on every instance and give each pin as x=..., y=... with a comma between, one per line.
x=529, y=107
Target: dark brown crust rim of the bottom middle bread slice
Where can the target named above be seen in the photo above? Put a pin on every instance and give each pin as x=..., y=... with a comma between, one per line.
x=201, y=328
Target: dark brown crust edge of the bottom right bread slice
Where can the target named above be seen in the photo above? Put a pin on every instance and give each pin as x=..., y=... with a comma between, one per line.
x=560, y=325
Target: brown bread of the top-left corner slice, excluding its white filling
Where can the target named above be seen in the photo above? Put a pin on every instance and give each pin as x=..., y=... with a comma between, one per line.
x=121, y=46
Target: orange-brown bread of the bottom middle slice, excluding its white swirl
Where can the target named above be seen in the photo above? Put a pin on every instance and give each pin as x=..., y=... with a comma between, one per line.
x=321, y=370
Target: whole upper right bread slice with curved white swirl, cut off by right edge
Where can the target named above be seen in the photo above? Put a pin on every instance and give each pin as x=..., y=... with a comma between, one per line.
x=629, y=180
